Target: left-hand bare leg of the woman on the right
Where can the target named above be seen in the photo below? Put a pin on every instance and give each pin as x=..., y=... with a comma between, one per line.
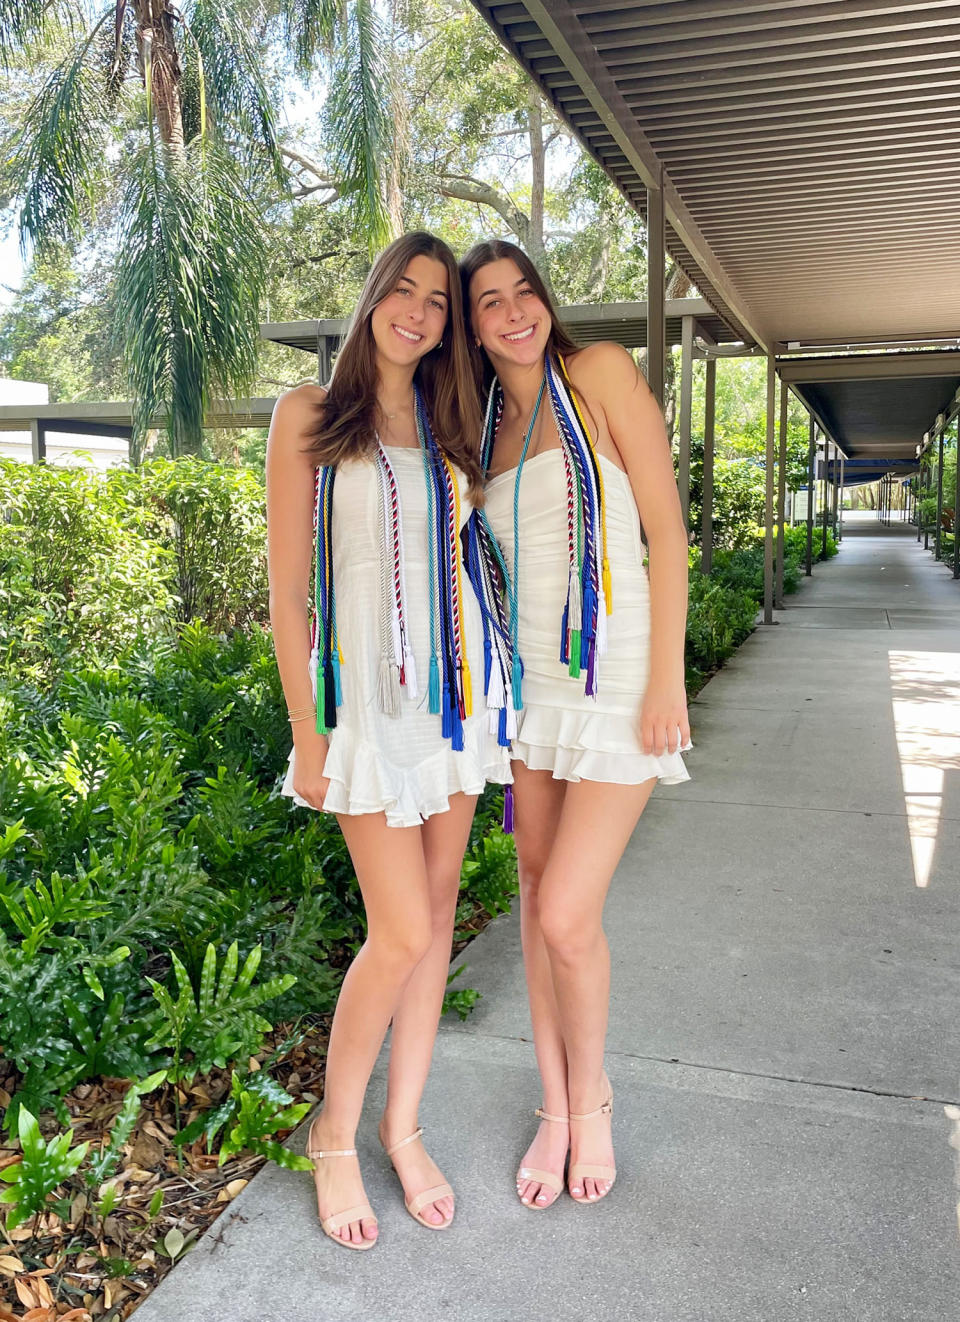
x=539, y=802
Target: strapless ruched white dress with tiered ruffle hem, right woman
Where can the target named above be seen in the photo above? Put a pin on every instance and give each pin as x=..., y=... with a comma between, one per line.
x=561, y=729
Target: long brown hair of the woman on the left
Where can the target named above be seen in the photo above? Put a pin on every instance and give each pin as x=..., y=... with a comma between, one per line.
x=347, y=418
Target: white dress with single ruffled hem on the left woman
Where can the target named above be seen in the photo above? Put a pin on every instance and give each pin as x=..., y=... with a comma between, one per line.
x=400, y=766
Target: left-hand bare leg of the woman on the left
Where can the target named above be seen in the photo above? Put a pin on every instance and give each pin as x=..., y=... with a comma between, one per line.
x=393, y=880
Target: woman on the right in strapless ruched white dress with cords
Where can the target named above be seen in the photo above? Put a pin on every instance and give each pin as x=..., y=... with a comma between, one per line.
x=577, y=461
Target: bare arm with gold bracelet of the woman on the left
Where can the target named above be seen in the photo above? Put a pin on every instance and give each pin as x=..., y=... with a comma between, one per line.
x=290, y=548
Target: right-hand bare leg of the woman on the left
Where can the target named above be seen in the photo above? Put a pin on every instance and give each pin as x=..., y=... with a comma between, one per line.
x=419, y=1012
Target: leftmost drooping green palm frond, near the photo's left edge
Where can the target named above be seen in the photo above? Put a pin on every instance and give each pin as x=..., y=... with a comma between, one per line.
x=59, y=154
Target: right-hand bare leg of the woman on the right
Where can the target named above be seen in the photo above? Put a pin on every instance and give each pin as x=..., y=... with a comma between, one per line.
x=596, y=826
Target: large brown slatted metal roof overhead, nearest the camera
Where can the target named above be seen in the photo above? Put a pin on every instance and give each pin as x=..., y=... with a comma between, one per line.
x=809, y=153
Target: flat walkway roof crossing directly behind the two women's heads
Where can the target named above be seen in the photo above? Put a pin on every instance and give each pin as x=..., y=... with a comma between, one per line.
x=589, y=322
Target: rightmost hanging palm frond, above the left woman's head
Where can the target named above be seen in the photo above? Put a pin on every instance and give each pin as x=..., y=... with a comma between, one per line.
x=360, y=124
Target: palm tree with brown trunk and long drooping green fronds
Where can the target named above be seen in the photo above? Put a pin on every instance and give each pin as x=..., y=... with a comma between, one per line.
x=192, y=176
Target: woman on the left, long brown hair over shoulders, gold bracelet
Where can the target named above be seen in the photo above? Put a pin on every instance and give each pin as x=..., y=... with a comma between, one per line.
x=370, y=483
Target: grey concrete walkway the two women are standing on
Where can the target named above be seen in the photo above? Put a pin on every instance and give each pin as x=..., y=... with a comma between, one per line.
x=785, y=1030
